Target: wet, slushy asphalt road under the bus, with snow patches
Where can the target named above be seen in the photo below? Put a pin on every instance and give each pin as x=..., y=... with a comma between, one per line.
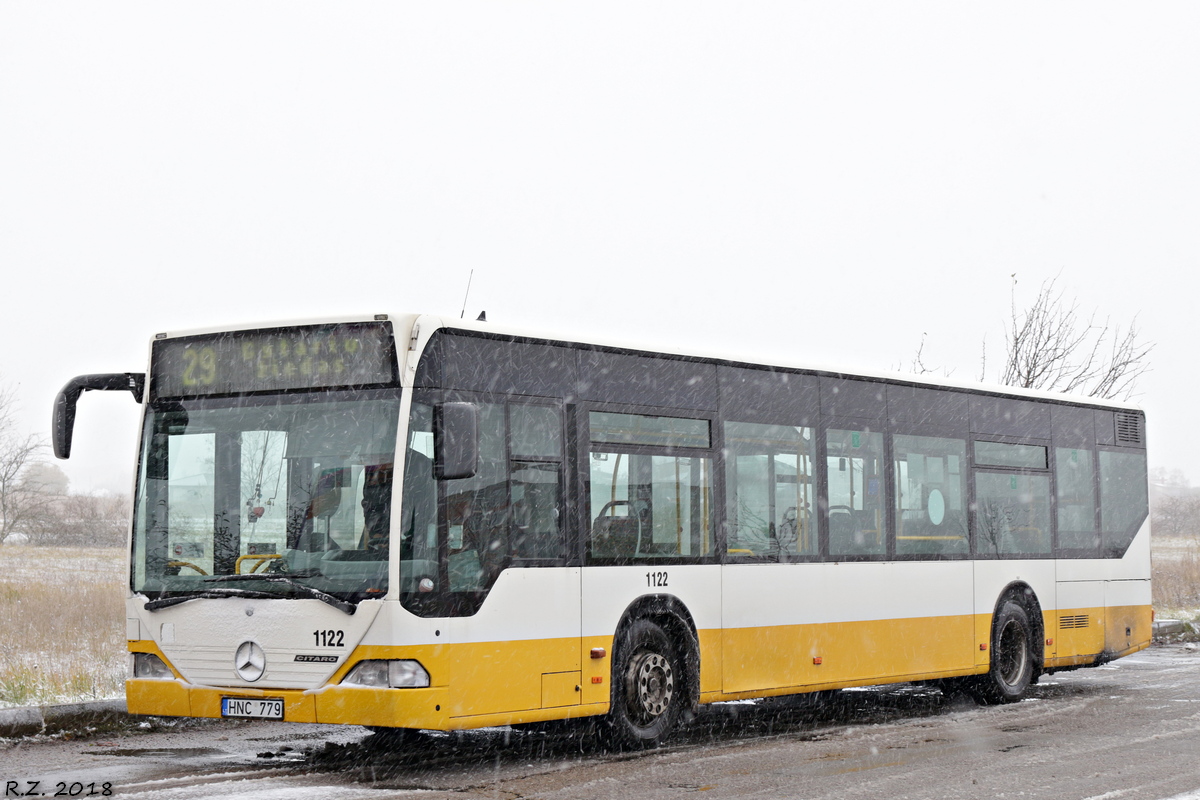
x=1129, y=730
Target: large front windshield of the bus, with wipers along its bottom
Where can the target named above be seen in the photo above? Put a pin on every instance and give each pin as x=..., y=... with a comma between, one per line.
x=269, y=496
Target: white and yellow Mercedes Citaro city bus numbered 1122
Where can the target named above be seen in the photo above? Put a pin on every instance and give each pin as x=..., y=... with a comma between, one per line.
x=417, y=524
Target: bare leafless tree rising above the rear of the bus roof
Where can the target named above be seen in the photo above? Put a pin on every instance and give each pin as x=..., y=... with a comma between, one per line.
x=1052, y=346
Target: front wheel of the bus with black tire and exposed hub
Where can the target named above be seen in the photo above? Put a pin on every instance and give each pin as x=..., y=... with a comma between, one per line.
x=649, y=688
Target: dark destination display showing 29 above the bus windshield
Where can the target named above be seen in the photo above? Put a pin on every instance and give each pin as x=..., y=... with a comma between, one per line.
x=355, y=354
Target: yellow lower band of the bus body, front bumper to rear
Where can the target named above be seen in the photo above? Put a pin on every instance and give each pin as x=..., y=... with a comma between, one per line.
x=512, y=683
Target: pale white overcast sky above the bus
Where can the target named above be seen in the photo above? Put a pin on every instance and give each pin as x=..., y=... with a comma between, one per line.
x=811, y=182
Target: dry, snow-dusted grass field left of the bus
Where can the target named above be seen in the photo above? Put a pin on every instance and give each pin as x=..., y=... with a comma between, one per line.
x=62, y=625
